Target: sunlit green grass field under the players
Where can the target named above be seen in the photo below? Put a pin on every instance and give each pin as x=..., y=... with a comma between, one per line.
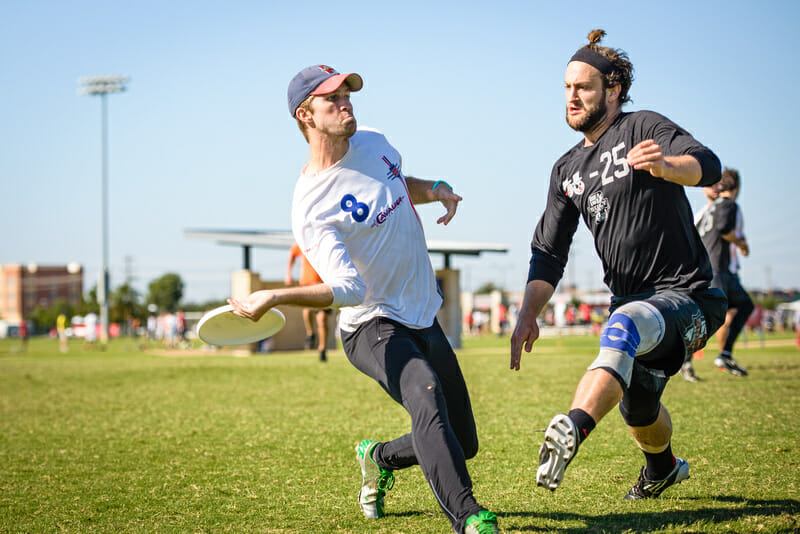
x=130, y=441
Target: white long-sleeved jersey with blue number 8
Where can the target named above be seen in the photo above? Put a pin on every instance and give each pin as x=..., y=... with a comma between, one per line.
x=356, y=224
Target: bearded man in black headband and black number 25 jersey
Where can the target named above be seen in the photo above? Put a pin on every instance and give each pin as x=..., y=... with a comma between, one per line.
x=625, y=179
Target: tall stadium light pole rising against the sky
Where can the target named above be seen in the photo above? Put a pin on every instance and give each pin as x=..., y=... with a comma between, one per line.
x=102, y=86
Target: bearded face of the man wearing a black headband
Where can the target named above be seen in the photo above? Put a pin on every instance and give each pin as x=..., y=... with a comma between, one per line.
x=585, y=95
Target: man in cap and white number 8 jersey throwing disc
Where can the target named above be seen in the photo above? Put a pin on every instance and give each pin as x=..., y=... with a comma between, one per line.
x=354, y=218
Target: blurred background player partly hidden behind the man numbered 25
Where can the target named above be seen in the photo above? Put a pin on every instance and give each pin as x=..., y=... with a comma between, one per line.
x=720, y=229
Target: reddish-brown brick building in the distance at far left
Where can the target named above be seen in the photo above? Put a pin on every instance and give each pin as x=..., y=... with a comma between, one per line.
x=22, y=288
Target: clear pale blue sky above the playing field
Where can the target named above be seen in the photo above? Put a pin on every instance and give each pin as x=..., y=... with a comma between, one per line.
x=469, y=94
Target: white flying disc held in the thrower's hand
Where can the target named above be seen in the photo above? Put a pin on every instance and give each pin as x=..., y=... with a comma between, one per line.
x=222, y=327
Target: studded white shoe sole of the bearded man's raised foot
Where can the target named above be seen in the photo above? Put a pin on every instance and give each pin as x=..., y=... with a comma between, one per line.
x=559, y=447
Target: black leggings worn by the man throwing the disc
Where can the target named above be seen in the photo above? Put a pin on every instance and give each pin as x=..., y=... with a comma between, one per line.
x=419, y=370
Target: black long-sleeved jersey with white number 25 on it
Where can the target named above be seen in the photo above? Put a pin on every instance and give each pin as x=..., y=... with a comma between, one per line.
x=643, y=226
